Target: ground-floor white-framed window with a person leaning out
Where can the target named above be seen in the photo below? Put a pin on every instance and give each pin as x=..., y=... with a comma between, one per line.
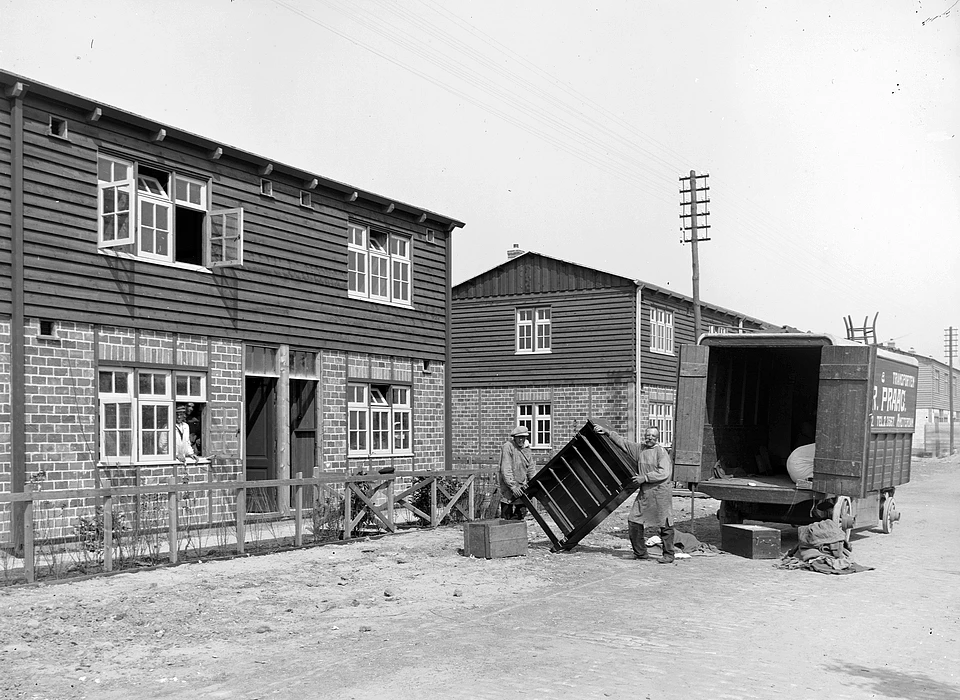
x=138, y=412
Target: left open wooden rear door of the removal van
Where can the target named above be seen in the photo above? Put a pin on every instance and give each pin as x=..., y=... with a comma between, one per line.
x=691, y=405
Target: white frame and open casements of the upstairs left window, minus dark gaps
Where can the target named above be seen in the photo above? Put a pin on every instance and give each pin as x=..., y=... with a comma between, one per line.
x=222, y=229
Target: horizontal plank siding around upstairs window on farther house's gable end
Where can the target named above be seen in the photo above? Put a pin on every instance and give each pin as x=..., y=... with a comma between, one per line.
x=593, y=339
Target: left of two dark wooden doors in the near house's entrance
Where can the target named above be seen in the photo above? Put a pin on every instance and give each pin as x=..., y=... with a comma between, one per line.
x=261, y=444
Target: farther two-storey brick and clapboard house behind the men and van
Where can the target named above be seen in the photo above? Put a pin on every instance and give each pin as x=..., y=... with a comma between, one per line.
x=548, y=343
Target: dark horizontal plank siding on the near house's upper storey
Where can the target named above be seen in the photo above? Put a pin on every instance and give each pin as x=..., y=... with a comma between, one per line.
x=292, y=287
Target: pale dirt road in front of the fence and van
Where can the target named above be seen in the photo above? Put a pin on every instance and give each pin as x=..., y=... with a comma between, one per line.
x=406, y=616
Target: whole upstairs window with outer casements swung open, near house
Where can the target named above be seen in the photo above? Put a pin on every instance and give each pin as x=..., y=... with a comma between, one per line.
x=163, y=216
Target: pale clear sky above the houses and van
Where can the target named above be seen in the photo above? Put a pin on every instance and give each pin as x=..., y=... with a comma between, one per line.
x=828, y=129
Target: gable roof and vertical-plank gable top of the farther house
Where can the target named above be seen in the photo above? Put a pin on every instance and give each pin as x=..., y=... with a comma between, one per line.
x=531, y=272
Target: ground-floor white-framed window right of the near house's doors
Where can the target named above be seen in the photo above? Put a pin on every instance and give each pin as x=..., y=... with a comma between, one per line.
x=379, y=419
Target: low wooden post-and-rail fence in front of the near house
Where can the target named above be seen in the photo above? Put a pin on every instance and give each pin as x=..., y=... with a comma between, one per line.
x=370, y=498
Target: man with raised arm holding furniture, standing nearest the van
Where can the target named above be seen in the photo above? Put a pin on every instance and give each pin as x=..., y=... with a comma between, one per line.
x=653, y=507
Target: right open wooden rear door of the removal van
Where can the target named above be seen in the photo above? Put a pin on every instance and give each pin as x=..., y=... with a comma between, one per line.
x=842, y=419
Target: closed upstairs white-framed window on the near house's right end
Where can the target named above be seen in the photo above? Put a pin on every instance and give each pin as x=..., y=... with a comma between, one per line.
x=378, y=265
